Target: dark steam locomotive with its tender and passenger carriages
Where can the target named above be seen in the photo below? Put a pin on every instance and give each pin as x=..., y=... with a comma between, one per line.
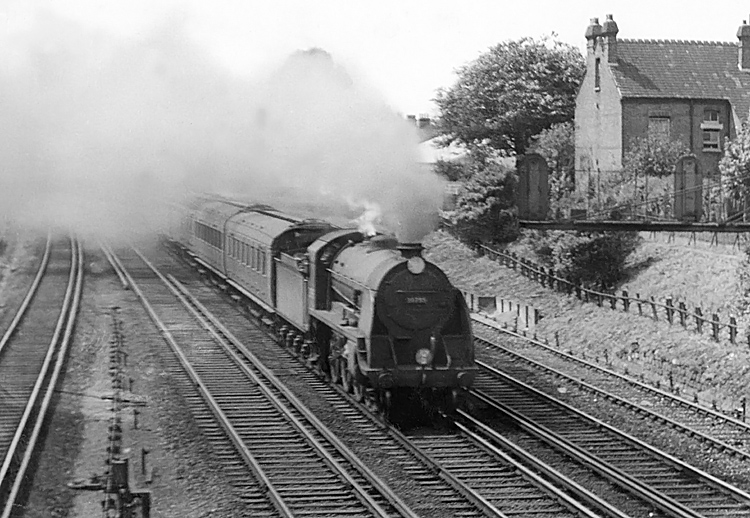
x=370, y=313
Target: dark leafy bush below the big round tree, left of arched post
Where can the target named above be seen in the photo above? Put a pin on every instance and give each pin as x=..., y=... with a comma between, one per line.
x=485, y=209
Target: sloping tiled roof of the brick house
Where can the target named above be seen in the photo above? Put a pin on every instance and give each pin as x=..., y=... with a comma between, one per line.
x=682, y=69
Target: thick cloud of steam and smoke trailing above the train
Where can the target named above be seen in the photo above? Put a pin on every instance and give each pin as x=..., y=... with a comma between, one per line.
x=99, y=132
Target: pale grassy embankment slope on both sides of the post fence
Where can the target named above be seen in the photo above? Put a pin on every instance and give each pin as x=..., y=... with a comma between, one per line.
x=714, y=371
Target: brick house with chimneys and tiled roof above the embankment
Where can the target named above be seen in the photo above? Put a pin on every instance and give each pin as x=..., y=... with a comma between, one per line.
x=697, y=92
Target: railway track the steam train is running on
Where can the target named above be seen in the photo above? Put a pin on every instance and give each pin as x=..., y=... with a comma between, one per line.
x=436, y=461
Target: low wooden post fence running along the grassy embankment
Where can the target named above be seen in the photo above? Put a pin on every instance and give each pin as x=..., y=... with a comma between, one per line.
x=694, y=320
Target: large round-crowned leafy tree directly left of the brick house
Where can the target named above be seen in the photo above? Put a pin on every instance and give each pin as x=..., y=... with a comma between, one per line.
x=510, y=93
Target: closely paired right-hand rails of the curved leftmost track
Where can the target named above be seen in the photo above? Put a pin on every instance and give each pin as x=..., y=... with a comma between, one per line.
x=72, y=315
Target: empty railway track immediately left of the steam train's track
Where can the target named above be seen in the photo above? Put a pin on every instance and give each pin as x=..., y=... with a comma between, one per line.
x=289, y=463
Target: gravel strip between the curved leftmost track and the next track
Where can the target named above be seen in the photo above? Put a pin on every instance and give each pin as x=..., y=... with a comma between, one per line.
x=185, y=480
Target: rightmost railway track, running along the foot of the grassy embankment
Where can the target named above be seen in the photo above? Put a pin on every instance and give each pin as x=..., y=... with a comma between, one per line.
x=722, y=433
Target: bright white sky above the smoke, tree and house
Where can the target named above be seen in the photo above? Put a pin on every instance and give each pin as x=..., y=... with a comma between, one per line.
x=405, y=49
